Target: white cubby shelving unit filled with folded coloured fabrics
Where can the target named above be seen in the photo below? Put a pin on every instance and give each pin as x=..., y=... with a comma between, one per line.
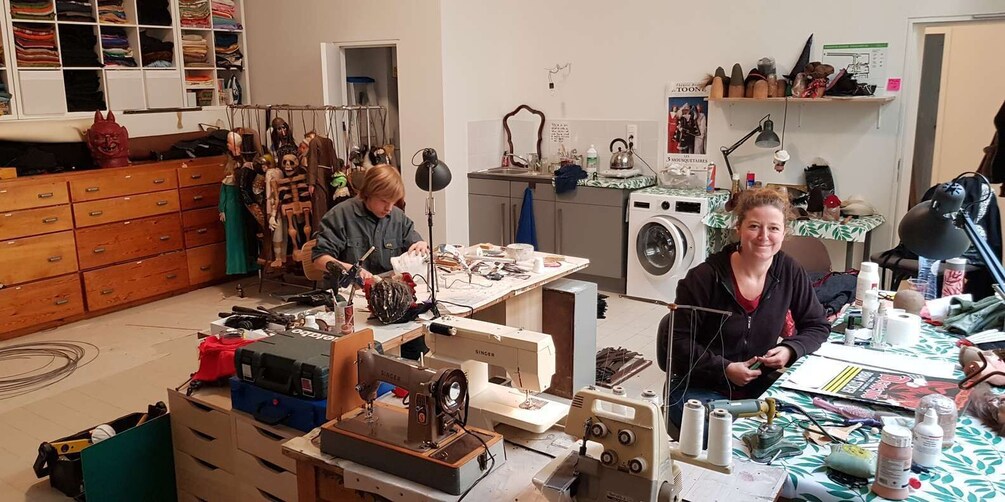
x=44, y=92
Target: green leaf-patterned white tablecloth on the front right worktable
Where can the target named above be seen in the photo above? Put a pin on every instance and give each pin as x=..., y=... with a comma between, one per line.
x=972, y=470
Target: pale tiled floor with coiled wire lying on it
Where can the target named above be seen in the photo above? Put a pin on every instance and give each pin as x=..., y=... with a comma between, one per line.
x=145, y=350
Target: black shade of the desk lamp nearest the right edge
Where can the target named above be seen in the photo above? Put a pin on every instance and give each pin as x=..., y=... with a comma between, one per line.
x=929, y=228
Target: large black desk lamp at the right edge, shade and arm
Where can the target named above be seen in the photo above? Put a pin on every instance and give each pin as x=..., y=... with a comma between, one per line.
x=940, y=229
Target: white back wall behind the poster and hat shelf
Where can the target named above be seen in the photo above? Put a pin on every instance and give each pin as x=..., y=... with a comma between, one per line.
x=495, y=56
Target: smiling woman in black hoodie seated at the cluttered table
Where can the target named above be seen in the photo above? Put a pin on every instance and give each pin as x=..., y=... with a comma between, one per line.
x=776, y=317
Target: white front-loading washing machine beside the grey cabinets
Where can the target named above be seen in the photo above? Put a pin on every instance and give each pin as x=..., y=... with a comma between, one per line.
x=666, y=239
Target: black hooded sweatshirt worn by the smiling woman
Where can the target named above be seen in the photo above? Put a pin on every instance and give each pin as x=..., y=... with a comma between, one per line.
x=697, y=344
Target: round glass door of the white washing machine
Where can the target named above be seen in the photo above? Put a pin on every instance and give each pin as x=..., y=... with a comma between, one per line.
x=663, y=247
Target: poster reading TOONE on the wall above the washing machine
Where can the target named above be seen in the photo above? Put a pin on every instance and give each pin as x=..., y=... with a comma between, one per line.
x=687, y=125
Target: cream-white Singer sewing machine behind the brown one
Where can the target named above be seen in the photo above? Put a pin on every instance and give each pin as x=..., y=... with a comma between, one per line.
x=527, y=357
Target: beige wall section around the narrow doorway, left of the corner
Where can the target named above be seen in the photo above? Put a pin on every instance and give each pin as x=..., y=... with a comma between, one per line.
x=285, y=41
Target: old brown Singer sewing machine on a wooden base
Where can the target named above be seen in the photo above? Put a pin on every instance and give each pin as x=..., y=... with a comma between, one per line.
x=429, y=443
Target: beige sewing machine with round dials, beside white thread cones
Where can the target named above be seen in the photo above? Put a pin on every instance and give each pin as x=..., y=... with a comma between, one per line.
x=631, y=458
